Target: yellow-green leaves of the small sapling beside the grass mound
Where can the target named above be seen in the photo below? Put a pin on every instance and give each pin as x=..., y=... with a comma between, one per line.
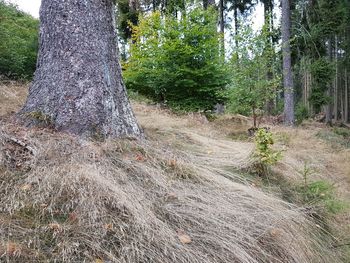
x=264, y=152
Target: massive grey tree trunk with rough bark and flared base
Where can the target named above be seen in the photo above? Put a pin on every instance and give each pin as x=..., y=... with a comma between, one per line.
x=78, y=83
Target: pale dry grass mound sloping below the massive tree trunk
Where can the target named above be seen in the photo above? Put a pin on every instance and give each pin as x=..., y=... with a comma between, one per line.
x=167, y=199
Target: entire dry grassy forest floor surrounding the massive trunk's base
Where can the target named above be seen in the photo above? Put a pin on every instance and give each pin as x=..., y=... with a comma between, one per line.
x=221, y=213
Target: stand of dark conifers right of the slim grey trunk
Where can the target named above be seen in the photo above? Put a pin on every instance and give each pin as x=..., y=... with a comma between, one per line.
x=320, y=52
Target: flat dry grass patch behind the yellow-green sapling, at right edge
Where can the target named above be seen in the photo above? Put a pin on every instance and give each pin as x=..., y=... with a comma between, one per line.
x=328, y=163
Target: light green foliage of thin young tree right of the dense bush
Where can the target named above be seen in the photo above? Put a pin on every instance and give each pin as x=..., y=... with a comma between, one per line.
x=251, y=87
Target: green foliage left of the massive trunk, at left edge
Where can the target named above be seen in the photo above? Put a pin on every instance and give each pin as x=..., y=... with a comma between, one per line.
x=19, y=42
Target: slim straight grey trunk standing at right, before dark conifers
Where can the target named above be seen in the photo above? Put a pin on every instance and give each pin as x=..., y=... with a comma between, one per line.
x=287, y=65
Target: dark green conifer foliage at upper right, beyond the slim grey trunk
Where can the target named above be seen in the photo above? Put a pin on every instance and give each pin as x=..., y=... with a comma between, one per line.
x=316, y=23
